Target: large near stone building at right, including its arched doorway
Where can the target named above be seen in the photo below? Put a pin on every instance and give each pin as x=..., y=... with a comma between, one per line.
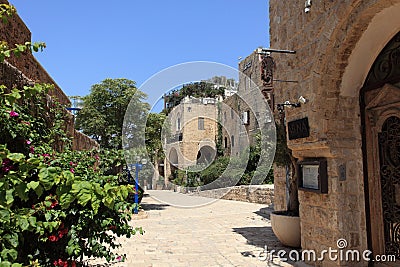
x=347, y=67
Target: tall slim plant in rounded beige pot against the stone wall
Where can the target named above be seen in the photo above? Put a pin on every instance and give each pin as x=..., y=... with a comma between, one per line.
x=286, y=223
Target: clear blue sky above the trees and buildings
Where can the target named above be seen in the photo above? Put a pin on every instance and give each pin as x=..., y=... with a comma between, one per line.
x=88, y=41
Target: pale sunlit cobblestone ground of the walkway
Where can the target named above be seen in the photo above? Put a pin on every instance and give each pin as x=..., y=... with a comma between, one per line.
x=224, y=233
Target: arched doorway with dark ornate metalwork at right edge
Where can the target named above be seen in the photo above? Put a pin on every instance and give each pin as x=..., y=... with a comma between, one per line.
x=380, y=107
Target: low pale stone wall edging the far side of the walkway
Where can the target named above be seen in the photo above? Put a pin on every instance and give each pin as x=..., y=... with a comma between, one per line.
x=262, y=194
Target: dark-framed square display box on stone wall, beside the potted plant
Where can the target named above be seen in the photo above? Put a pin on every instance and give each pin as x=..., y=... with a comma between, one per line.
x=313, y=175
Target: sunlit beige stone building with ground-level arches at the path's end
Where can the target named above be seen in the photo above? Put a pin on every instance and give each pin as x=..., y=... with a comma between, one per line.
x=192, y=134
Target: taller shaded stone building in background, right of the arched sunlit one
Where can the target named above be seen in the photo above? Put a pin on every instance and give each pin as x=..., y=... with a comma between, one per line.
x=243, y=107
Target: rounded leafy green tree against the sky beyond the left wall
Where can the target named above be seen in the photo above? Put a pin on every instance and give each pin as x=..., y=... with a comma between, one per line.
x=102, y=116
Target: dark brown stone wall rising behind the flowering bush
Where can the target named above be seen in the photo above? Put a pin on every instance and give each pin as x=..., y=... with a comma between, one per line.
x=26, y=70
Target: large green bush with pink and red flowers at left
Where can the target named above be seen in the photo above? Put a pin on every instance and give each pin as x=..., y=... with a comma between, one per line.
x=55, y=206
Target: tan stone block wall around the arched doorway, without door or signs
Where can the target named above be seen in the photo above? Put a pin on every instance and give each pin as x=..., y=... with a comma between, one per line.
x=324, y=40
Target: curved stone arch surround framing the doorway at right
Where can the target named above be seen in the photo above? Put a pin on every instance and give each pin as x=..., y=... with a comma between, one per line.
x=350, y=56
